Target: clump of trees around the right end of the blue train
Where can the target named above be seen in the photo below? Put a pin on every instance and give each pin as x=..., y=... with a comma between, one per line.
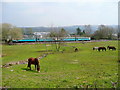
x=103, y=32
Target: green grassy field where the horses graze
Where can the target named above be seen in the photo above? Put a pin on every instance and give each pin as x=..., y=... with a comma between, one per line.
x=85, y=68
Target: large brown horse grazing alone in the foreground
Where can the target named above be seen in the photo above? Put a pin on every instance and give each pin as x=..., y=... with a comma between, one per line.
x=35, y=62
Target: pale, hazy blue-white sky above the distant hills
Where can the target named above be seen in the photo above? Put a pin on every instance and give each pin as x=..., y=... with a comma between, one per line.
x=59, y=12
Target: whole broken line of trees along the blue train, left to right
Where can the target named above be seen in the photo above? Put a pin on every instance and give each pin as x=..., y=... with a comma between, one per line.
x=10, y=32
